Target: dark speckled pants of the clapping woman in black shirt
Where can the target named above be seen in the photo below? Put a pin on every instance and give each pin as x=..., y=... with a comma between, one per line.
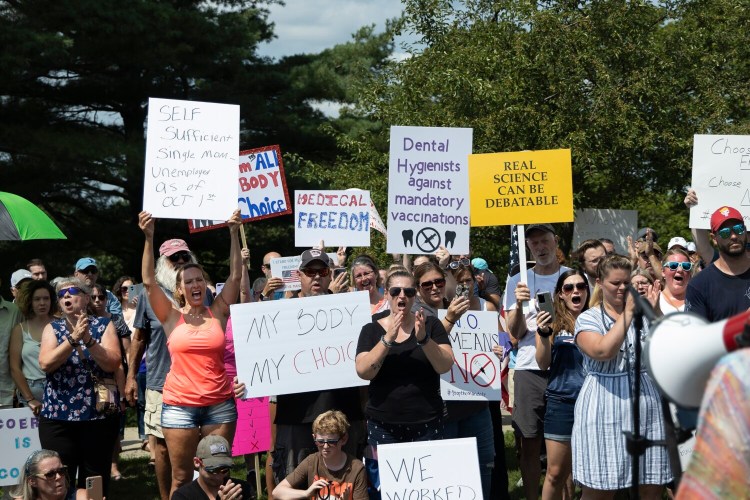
x=384, y=433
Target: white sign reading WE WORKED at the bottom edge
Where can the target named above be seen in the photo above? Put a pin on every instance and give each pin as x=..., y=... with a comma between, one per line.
x=443, y=469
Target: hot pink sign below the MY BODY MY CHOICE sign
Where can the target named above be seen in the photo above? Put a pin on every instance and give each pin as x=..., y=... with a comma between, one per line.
x=253, y=432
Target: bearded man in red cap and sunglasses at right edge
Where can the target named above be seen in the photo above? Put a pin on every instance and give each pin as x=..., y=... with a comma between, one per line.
x=722, y=290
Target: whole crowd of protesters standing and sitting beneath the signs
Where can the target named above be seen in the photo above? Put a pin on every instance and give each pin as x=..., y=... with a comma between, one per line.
x=165, y=349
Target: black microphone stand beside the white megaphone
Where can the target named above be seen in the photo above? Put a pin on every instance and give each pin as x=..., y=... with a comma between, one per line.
x=635, y=444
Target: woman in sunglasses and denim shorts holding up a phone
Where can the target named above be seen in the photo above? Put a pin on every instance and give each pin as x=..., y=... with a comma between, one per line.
x=556, y=351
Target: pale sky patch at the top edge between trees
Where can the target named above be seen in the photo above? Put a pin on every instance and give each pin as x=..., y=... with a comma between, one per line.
x=309, y=26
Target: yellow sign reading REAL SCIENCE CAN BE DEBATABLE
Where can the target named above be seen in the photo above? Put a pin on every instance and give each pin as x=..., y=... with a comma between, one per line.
x=525, y=187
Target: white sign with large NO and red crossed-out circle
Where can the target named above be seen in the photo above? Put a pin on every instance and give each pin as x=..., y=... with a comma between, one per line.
x=475, y=374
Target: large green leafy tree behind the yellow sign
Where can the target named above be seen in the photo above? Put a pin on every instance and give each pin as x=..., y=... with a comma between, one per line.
x=623, y=84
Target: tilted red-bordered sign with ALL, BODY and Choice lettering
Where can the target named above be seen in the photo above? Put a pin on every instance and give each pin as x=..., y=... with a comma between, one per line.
x=261, y=186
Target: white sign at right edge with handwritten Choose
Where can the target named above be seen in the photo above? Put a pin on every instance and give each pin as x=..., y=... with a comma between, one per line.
x=721, y=176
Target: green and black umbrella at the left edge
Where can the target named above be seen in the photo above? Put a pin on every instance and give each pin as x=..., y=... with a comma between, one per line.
x=21, y=220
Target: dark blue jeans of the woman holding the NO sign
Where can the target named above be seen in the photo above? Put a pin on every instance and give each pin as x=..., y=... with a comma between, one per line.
x=478, y=426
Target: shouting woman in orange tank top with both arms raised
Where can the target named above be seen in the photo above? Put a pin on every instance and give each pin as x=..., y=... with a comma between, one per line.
x=198, y=398
